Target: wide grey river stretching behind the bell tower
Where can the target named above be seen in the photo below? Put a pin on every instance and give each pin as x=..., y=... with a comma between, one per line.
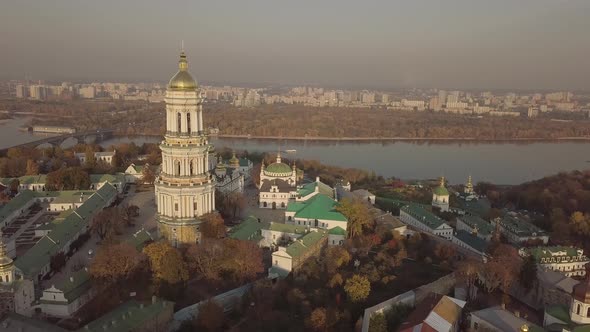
x=497, y=162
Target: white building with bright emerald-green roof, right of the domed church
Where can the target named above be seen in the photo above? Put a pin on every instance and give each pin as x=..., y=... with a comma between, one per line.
x=319, y=211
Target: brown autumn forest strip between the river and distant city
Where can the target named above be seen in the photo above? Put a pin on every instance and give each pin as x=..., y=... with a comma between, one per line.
x=141, y=118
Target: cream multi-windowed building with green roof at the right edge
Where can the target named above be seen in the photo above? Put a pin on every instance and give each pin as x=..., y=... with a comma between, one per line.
x=567, y=260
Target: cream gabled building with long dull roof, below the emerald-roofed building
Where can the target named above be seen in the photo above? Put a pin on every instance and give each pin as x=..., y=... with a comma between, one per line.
x=288, y=259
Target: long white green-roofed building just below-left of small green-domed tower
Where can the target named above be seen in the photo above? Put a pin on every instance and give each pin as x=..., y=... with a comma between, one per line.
x=425, y=221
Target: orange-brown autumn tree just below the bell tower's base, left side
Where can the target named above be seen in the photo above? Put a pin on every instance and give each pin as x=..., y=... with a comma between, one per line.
x=166, y=263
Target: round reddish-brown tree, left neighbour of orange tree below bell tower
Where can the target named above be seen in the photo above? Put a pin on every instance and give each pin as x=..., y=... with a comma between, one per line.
x=115, y=264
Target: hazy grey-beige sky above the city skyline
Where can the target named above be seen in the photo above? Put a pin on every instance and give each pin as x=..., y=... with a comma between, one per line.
x=388, y=43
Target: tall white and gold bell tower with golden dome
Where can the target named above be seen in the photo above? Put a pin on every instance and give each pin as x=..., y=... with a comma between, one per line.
x=184, y=189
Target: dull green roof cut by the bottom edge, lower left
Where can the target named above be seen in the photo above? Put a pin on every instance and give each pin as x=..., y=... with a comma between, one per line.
x=129, y=316
